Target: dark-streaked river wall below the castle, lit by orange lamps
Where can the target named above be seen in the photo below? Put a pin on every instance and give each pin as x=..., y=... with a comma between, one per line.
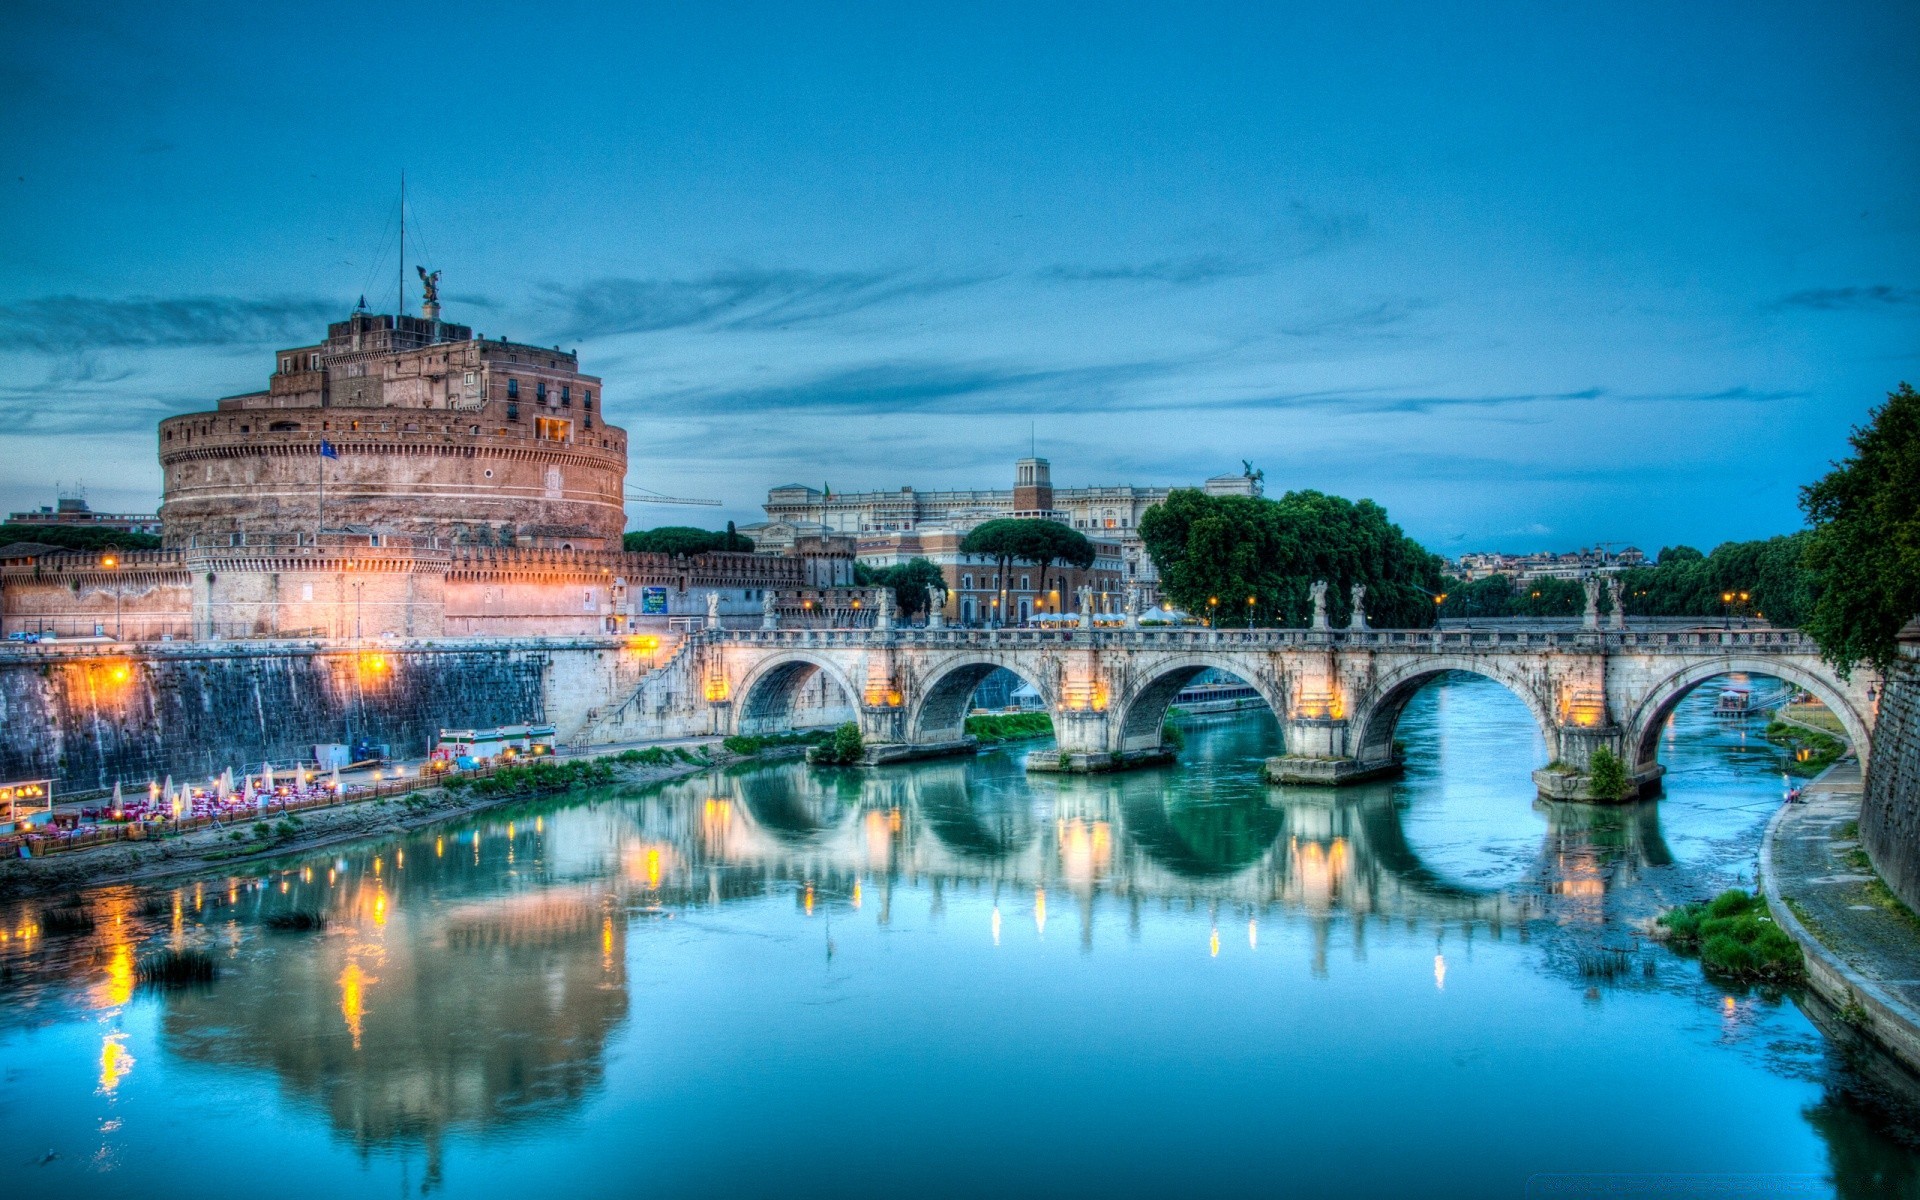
x=95, y=715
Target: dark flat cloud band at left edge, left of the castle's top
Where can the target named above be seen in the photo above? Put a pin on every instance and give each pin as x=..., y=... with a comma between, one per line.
x=78, y=324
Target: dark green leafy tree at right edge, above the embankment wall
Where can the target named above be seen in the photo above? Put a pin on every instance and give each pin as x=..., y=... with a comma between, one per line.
x=1865, y=546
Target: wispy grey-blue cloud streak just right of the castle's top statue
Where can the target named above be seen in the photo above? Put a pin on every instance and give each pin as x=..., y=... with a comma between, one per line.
x=738, y=299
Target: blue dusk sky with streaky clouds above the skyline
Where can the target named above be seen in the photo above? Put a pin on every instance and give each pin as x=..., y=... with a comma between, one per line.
x=1527, y=276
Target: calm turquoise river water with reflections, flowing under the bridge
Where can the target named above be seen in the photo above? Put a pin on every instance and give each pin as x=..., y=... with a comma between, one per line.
x=959, y=980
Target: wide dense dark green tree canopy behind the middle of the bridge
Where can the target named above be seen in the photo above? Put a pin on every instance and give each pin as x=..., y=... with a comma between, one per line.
x=1274, y=550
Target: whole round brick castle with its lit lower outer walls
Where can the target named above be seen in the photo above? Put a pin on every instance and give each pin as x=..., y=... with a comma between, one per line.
x=404, y=479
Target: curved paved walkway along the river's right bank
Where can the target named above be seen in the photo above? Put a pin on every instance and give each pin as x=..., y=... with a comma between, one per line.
x=1863, y=948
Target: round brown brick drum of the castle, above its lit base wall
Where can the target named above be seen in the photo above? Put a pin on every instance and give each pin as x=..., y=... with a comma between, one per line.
x=431, y=431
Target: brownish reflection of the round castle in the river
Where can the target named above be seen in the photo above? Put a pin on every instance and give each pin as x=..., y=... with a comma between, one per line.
x=427, y=1019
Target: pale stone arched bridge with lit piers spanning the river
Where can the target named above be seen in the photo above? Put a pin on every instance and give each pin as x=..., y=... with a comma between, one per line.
x=1335, y=692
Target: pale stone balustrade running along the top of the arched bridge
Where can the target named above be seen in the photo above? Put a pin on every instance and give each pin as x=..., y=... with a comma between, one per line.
x=1691, y=640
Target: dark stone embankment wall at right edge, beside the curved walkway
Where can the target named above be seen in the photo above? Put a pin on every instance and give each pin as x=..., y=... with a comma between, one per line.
x=1890, y=809
